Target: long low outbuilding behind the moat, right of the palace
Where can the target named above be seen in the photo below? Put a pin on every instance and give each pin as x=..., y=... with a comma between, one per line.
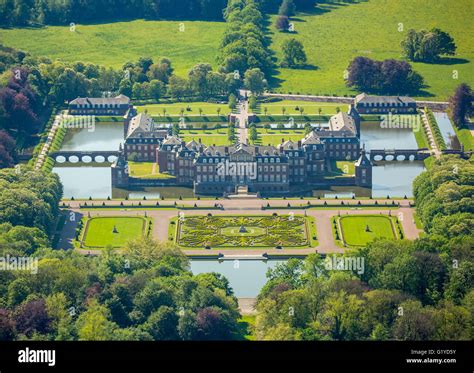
x=366, y=104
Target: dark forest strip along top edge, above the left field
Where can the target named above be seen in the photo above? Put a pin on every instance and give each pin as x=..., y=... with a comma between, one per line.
x=47, y=12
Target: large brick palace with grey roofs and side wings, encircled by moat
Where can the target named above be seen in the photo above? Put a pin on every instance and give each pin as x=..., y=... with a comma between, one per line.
x=218, y=170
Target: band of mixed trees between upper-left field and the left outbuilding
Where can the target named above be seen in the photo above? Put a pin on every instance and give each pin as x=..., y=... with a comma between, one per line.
x=31, y=86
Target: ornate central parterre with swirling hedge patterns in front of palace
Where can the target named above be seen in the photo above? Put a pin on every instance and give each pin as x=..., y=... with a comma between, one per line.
x=237, y=232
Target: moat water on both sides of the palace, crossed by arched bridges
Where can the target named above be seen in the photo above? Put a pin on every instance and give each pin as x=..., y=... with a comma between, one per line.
x=389, y=178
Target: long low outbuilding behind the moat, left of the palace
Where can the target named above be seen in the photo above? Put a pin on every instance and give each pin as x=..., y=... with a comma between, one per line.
x=99, y=106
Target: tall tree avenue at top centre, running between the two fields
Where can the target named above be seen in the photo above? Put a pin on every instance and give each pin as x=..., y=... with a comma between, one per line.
x=244, y=46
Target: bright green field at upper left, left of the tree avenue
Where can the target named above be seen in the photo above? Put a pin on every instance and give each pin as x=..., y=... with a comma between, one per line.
x=113, y=44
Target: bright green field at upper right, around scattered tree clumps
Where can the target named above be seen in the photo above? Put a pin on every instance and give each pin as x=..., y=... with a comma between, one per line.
x=334, y=34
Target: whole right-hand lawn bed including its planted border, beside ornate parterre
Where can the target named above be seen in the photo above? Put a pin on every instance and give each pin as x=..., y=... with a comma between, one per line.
x=362, y=229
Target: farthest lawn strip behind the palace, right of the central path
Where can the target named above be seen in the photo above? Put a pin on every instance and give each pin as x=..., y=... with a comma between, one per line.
x=309, y=108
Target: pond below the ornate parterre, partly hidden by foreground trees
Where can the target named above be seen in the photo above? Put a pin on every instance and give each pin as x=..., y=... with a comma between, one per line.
x=246, y=277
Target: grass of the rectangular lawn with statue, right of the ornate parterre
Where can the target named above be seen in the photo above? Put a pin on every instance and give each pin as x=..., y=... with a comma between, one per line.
x=355, y=233
